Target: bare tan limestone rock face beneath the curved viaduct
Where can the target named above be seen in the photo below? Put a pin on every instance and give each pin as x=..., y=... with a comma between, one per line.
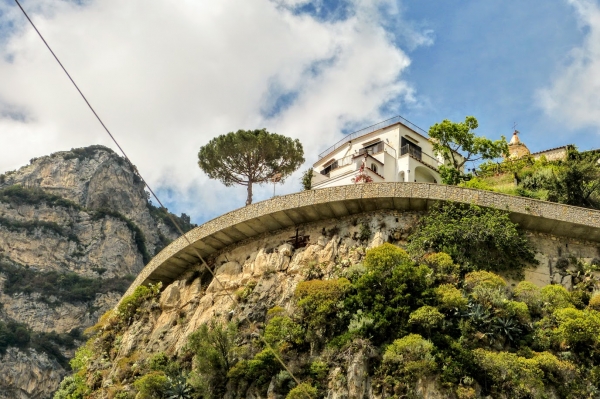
x=259, y=275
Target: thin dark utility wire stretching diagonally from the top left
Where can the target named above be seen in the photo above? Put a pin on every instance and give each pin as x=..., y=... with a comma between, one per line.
x=236, y=304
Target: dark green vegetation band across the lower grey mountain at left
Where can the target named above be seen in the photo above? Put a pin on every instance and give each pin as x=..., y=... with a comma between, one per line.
x=56, y=287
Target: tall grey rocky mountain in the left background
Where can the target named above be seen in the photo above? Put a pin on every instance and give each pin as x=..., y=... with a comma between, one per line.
x=75, y=228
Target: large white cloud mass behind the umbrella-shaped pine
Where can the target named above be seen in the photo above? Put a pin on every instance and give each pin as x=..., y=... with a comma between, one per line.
x=167, y=76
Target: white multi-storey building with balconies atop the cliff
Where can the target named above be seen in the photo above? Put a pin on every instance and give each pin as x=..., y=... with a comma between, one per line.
x=390, y=151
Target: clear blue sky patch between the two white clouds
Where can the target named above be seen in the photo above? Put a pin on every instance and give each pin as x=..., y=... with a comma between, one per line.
x=489, y=59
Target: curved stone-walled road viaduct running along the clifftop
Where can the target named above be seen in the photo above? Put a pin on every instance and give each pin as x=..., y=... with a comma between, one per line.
x=330, y=203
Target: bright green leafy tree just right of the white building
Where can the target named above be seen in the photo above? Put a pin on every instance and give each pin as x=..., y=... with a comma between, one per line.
x=450, y=138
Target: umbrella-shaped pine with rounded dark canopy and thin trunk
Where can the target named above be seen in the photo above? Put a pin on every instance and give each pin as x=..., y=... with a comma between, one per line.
x=250, y=156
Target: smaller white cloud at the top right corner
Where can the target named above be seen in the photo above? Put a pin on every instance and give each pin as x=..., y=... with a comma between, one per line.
x=573, y=96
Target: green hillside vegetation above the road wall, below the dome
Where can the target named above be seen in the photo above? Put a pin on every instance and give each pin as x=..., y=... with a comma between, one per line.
x=572, y=181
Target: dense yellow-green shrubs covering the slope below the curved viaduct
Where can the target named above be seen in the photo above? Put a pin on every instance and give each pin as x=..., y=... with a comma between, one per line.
x=413, y=315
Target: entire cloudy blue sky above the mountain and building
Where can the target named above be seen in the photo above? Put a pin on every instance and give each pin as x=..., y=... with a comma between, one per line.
x=167, y=76
